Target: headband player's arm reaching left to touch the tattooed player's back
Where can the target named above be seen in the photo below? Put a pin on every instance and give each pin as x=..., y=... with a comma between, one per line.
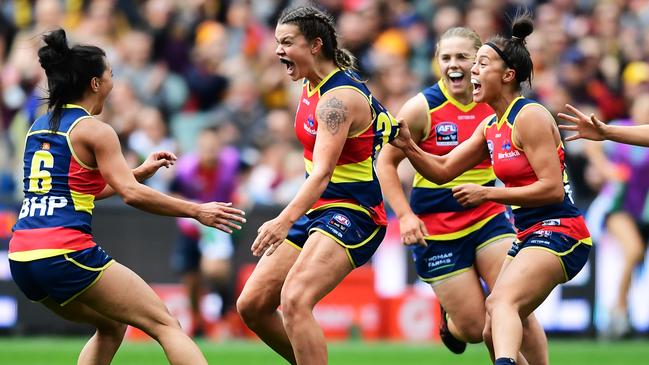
x=442, y=169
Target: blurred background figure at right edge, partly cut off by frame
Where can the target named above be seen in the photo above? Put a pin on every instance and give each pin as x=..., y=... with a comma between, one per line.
x=624, y=197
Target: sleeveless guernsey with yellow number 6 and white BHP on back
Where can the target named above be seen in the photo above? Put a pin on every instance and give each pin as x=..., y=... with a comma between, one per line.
x=56, y=214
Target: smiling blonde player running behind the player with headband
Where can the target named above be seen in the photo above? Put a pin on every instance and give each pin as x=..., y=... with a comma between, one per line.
x=454, y=247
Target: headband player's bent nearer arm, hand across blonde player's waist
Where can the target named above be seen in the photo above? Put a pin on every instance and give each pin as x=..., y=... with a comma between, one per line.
x=537, y=135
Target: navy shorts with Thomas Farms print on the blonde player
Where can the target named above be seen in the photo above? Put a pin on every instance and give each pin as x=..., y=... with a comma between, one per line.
x=442, y=259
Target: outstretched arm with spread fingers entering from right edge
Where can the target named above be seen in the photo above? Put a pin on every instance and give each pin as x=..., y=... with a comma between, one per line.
x=590, y=127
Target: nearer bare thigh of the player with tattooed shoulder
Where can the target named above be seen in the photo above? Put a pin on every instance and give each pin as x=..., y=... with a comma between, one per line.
x=322, y=265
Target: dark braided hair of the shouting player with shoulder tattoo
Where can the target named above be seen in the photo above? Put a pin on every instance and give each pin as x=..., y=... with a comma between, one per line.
x=314, y=23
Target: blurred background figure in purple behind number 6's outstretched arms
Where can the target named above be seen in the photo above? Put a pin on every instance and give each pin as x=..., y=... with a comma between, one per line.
x=202, y=254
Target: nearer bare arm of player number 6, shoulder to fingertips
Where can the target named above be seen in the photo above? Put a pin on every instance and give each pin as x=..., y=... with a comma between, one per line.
x=101, y=140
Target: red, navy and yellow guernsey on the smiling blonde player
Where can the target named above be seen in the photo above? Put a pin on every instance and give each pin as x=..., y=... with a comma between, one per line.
x=449, y=124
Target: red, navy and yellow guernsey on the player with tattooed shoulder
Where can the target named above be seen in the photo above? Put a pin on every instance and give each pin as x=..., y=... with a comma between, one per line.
x=354, y=183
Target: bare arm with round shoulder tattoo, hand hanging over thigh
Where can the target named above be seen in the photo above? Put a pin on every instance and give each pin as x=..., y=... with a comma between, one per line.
x=335, y=113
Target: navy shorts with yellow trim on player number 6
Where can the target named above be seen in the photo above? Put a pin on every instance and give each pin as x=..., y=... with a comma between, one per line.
x=62, y=277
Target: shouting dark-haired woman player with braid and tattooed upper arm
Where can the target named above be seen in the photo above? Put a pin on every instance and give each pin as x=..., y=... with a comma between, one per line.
x=336, y=220
